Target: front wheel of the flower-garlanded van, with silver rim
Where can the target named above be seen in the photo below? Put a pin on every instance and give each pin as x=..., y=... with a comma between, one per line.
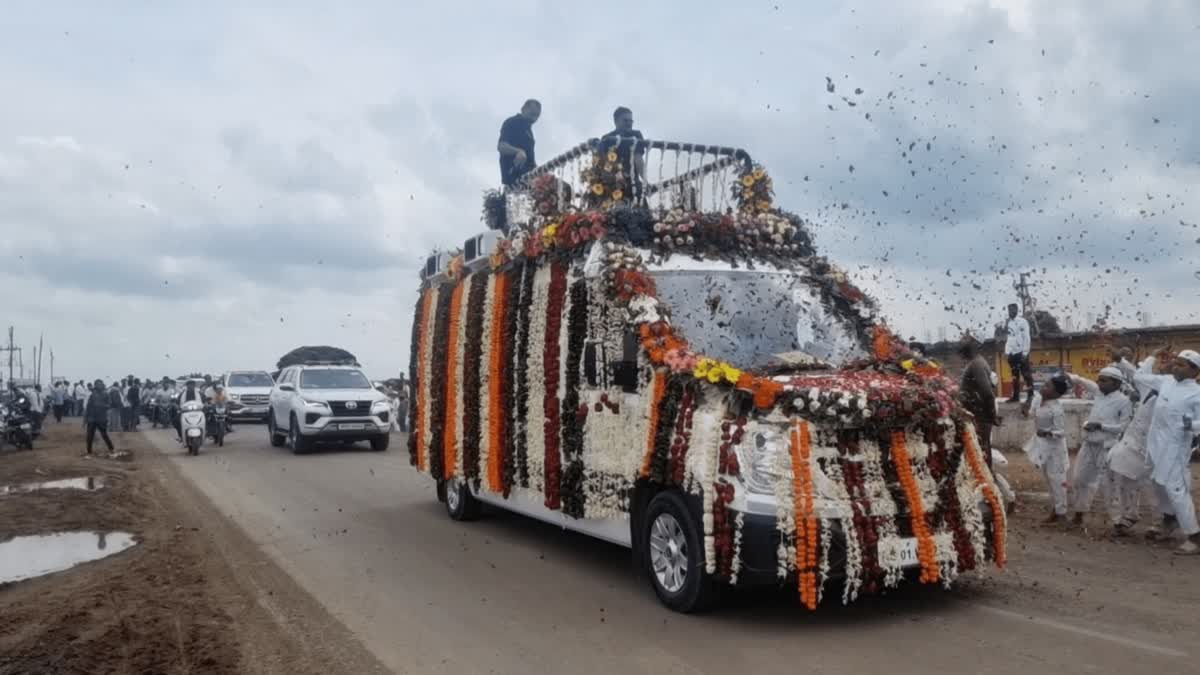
x=669, y=519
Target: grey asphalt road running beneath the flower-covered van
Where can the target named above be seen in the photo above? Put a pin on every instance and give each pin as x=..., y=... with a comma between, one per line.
x=365, y=536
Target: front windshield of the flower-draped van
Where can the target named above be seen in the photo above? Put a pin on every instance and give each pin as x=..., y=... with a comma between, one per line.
x=753, y=318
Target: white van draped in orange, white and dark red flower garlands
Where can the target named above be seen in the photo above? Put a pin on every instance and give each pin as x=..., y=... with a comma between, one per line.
x=694, y=384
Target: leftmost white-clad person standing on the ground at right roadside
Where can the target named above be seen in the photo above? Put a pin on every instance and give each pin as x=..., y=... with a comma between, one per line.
x=1048, y=449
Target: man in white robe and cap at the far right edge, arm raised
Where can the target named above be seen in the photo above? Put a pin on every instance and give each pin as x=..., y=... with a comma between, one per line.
x=1172, y=432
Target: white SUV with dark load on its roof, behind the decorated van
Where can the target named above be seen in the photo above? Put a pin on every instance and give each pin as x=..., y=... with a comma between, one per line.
x=327, y=403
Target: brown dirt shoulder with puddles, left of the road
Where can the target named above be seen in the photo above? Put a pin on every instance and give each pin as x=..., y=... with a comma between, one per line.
x=194, y=596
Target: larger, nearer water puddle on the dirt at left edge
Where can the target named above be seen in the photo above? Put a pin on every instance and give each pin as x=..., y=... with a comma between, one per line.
x=25, y=558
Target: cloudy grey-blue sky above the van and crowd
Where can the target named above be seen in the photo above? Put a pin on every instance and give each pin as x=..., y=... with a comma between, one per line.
x=206, y=186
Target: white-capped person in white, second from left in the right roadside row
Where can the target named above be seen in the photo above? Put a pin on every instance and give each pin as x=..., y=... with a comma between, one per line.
x=1112, y=413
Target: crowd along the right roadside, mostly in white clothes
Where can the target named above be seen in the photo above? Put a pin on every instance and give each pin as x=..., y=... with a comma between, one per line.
x=1139, y=435
